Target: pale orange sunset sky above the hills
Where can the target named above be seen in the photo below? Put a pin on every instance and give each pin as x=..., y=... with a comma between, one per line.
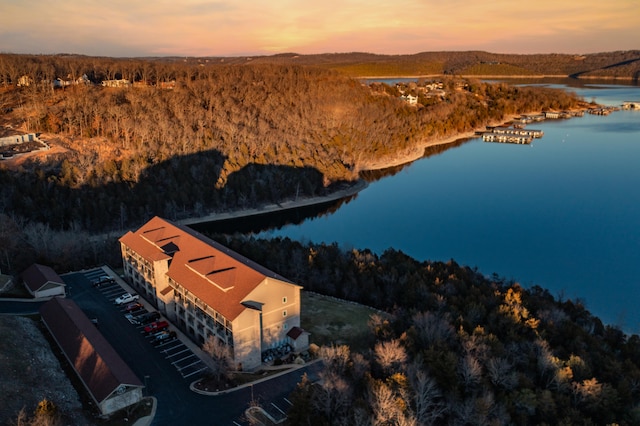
x=239, y=28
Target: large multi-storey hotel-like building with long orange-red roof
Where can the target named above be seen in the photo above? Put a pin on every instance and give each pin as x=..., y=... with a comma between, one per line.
x=209, y=290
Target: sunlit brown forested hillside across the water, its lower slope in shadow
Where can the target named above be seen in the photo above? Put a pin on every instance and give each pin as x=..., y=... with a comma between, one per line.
x=181, y=139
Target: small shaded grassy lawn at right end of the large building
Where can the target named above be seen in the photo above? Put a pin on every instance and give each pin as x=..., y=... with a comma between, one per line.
x=336, y=321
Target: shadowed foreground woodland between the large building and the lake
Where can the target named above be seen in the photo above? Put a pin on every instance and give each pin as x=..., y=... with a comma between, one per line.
x=459, y=348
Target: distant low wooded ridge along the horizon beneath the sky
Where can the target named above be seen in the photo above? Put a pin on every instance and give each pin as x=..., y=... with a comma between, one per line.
x=619, y=64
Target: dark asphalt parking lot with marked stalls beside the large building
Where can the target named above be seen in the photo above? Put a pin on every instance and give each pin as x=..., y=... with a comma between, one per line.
x=167, y=367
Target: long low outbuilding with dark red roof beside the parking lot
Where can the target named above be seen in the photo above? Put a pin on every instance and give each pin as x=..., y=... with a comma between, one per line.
x=108, y=379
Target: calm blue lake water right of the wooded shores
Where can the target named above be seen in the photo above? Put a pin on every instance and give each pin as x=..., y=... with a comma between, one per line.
x=562, y=213
